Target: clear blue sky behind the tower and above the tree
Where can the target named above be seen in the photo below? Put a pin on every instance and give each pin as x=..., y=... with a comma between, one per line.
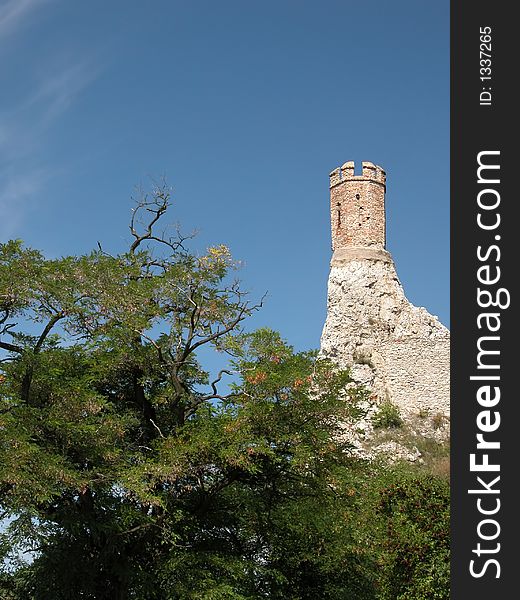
x=244, y=107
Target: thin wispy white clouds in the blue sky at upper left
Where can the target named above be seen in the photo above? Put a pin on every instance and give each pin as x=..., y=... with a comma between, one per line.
x=26, y=122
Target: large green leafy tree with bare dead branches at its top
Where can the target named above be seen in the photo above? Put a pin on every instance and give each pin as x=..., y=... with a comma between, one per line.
x=127, y=470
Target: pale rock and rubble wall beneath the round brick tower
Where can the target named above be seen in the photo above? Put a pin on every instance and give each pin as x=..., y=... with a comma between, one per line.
x=400, y=351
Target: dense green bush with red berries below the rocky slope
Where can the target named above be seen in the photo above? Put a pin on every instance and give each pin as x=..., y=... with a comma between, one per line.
x=405, y=520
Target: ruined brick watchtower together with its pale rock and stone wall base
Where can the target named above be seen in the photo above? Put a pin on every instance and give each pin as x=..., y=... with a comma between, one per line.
x=399, y=351
